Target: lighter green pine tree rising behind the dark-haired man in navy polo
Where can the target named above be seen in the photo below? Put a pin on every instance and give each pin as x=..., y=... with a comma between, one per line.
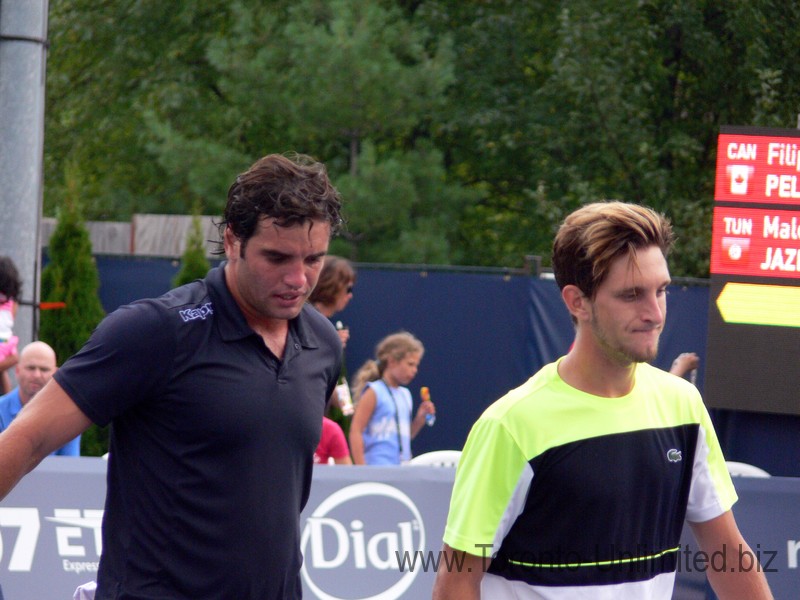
x=354, y=84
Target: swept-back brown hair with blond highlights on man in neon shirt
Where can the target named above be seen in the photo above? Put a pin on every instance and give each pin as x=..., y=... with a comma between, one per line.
x=593, y=236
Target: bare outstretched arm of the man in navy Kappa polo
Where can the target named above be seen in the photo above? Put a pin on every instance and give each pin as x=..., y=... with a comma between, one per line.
x=46, y=423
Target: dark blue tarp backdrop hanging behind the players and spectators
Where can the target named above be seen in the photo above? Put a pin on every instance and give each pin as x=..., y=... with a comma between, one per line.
x=485, y=333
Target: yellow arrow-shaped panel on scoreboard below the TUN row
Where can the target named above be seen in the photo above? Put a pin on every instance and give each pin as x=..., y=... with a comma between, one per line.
x=756, y=304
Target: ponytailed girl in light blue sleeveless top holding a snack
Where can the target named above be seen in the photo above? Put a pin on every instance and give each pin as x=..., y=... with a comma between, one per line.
x=382, y=428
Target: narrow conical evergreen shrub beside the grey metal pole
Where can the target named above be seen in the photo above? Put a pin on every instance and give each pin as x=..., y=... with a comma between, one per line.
x=71, y=277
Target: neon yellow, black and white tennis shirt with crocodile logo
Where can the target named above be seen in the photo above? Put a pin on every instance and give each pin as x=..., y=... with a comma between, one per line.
x=573, y=494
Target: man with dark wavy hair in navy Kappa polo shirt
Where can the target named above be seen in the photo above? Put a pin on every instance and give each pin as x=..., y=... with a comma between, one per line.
x=215, y=393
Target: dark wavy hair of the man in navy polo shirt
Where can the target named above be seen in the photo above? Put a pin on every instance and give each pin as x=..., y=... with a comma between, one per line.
x=292, y=189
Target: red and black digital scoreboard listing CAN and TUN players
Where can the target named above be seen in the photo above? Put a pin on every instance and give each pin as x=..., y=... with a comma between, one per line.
x=753, y=353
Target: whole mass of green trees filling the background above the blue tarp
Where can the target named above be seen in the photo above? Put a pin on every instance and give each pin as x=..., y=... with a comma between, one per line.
x=461, y=132
